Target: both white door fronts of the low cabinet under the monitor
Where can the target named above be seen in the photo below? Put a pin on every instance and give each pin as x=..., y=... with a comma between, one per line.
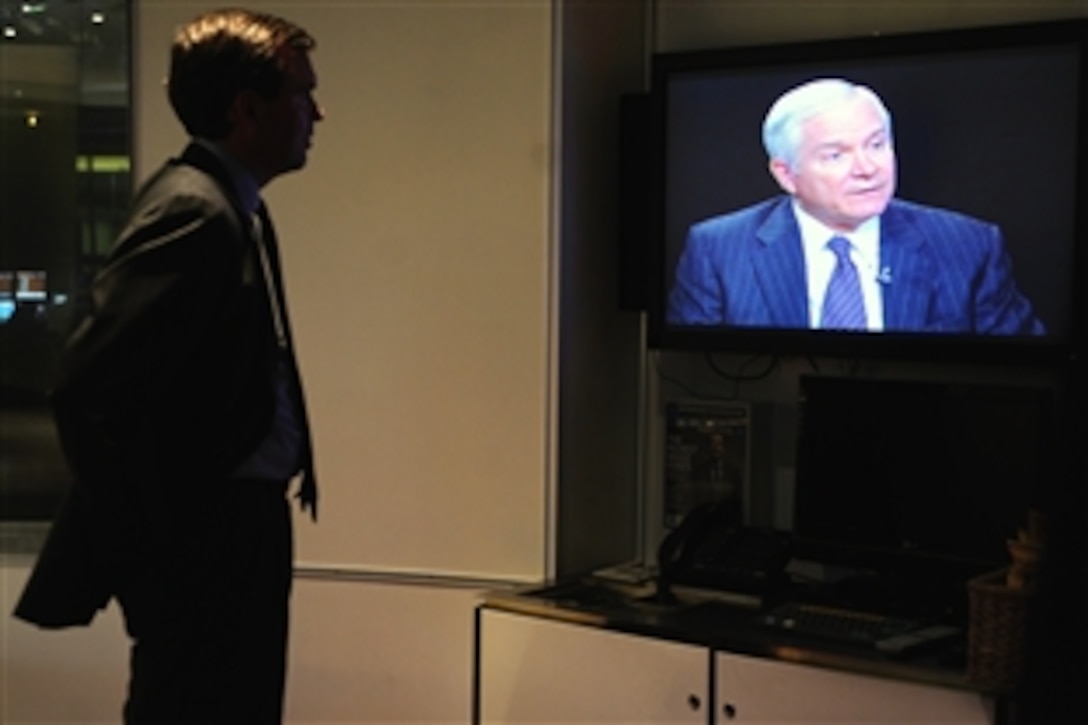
x=537, y=670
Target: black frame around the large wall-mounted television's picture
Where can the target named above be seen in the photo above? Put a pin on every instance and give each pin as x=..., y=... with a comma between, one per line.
x=910, y=347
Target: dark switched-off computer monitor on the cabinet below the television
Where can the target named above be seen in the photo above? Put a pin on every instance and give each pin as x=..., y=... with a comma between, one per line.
x=893, y=472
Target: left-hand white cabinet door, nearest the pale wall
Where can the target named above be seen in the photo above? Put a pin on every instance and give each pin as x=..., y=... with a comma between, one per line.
x=540, y=671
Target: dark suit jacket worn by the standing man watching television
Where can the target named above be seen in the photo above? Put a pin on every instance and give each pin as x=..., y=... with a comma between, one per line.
x=165, y=388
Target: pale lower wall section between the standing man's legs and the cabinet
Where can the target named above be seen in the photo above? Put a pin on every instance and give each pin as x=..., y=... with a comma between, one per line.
x=380, y=653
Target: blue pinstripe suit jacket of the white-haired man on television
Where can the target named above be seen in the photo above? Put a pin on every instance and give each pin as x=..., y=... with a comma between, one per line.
x=949, y=274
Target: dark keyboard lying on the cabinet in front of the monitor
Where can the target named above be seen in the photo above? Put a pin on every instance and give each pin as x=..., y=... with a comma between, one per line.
x=888, y=634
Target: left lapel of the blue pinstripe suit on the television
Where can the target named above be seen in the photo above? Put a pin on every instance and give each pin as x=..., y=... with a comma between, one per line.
x=781, y=268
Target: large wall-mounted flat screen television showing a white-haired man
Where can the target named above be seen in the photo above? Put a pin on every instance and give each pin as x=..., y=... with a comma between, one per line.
x=988, y=124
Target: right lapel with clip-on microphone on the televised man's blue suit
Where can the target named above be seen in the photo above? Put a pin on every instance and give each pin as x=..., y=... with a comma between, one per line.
x=908, y=273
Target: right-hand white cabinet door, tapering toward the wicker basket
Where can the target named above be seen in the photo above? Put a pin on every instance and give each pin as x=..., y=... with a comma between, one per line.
x=757, y=691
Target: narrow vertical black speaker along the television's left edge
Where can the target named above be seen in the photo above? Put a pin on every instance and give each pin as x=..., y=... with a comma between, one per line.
x=638, y=199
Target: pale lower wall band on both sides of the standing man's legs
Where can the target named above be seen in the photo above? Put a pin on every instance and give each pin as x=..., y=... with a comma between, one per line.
x=361, y=653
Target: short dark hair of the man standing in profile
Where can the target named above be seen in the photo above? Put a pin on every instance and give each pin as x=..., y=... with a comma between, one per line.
x=221, y=54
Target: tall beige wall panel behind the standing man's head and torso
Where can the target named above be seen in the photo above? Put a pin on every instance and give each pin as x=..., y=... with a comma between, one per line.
x=417, y=250
